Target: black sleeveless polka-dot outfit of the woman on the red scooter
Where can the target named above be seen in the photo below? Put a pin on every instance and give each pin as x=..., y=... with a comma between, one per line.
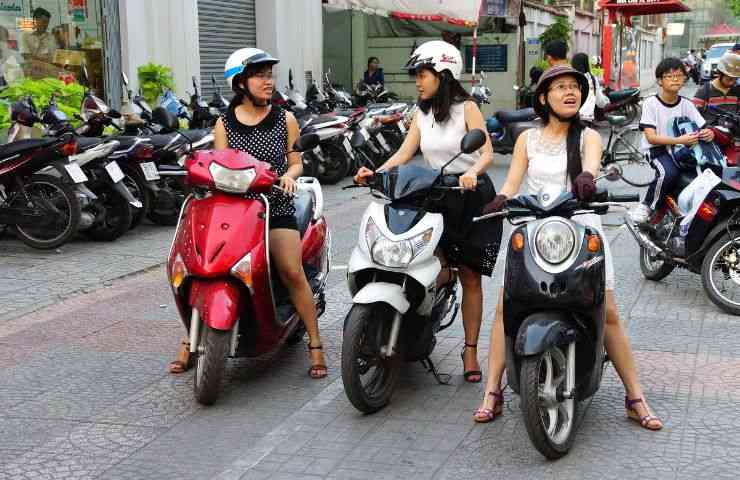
x=266, y=141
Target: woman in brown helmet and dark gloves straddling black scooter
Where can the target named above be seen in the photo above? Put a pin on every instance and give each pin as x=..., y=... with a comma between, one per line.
x=562, y=153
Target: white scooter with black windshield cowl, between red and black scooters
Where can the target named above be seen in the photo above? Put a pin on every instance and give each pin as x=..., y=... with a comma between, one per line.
x=397, y=306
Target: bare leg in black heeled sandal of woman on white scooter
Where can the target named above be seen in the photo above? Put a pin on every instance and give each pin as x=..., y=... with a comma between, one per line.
x=472, y=310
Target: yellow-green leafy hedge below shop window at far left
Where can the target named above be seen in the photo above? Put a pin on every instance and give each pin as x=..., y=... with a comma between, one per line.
x=68, y=96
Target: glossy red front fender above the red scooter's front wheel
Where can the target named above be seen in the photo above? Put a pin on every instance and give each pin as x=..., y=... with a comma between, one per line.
x=217, y=301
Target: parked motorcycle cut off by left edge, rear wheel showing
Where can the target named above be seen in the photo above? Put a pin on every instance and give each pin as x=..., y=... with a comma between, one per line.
x=43, y=209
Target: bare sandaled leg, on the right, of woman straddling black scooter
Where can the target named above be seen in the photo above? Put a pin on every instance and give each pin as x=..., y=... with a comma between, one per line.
x=619, y=351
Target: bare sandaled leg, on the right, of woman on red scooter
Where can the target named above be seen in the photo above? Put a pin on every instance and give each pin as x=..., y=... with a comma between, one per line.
x=290, y=268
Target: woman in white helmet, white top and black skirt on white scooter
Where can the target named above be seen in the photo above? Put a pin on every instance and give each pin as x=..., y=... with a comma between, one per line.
x=446, y=113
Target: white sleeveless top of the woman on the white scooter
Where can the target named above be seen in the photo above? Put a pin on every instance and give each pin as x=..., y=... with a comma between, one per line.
x=441, y=141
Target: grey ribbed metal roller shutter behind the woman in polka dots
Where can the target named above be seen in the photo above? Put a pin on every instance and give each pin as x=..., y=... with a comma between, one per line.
x=224, y=26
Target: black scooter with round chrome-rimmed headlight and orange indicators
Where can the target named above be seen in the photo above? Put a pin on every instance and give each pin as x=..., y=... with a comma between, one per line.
x=554, y=311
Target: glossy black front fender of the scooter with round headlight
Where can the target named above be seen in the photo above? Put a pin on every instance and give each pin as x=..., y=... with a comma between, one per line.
x=543, y=330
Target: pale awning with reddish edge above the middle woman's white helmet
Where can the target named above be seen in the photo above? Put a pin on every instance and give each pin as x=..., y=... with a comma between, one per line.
x=457, y=12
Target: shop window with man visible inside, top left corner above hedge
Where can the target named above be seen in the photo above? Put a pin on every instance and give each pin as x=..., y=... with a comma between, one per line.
x=42, y=39
